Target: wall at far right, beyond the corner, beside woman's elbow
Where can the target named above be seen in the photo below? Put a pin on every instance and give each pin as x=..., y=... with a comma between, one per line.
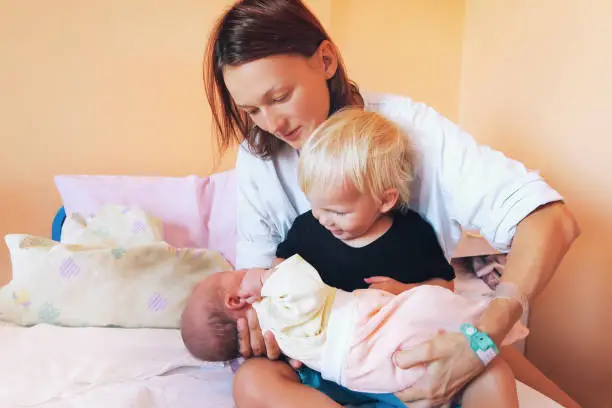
x=536, y=84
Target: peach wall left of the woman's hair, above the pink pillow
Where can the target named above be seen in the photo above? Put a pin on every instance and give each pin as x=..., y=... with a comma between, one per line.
x=110, y=87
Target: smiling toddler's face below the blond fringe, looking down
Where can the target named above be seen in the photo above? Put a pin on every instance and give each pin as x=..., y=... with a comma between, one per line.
x=345, y=212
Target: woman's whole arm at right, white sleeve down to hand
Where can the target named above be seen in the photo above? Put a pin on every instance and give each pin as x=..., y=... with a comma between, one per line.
x=513, y=208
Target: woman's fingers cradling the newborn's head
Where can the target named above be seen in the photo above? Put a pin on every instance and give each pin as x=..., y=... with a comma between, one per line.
x=253, y=344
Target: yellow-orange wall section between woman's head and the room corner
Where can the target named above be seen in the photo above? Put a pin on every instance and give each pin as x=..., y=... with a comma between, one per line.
x=406, y=47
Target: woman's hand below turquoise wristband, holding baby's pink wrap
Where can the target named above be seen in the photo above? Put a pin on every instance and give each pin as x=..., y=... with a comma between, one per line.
x=451, y=364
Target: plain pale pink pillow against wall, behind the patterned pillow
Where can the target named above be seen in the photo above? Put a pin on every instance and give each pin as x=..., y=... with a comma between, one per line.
x=197, y=212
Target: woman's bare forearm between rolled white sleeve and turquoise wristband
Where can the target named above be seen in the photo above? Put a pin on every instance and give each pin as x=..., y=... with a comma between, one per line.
x=541, y=241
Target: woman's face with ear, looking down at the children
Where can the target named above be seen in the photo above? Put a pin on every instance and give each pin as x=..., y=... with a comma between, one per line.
x=285, y=95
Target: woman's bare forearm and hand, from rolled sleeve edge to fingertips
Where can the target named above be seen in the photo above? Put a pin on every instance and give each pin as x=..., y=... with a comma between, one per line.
x=541, y=241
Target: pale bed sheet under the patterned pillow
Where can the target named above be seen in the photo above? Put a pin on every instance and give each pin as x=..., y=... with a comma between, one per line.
x=57, y=367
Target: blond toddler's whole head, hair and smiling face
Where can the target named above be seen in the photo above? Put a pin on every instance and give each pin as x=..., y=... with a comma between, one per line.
x=356, y=166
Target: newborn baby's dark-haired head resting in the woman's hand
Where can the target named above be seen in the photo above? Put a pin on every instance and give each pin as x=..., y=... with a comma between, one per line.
x=208, y=323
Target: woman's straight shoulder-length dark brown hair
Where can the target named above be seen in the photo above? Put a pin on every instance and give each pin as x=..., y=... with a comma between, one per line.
x=254, y=29
